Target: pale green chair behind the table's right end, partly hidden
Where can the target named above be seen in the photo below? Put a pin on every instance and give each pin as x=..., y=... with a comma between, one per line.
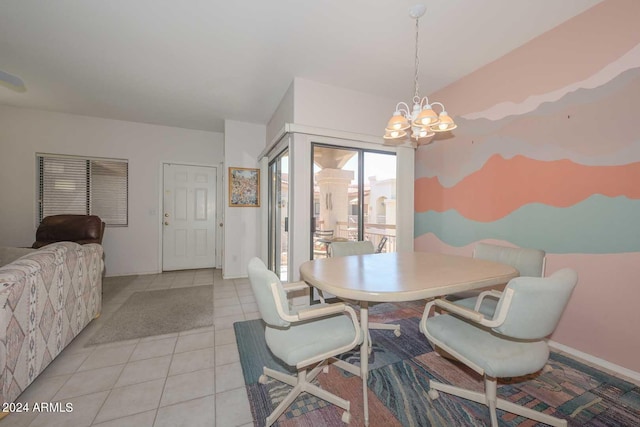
x=529, y=262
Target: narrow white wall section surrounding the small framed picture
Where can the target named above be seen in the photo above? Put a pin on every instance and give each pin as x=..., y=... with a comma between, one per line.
x=243, y=143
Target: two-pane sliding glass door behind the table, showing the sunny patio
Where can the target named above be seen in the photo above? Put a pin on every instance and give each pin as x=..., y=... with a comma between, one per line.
x=354, y=197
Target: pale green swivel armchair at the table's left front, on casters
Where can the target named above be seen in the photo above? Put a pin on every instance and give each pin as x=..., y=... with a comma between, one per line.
x=304, y=338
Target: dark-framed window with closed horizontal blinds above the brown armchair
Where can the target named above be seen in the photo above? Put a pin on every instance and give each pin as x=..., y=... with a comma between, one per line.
x=77, y=185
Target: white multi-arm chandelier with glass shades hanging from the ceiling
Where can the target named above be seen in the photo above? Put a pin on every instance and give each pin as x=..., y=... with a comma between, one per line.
x=421, y=122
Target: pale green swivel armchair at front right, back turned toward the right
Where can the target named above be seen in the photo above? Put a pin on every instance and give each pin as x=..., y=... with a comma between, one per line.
x=512, y=344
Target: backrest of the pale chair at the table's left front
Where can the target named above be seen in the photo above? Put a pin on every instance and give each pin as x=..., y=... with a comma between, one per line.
x=261, y=279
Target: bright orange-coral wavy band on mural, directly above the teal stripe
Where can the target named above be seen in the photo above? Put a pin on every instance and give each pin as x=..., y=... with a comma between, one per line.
x=560, y=183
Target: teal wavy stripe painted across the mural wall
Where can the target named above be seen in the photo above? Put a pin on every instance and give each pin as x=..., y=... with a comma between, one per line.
x=597, y=225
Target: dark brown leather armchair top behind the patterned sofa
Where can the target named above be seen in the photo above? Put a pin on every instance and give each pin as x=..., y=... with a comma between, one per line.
x=81, y=229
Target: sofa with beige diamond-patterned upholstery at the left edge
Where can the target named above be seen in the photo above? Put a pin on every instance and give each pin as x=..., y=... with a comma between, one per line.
x=46, y=298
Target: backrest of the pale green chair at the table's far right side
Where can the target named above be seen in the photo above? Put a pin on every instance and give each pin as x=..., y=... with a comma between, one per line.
x=529, y=262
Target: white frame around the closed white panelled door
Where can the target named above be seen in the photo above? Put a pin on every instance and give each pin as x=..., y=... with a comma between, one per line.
x=219, y=219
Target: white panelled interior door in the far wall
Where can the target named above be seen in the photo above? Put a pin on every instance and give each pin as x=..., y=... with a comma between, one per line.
x=189, y=217
